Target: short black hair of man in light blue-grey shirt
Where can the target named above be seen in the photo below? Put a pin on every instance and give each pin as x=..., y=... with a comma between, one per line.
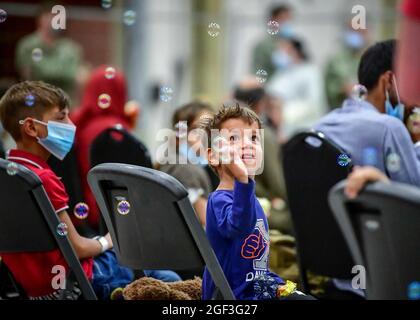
x=375, y=61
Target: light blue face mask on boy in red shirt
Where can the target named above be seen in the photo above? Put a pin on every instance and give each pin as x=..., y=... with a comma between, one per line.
x=60, y=138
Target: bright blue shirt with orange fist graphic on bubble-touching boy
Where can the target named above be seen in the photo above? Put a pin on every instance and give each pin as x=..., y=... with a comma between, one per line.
x=237, y=229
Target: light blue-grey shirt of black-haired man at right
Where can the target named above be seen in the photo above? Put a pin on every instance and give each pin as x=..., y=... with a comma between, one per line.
x=358, y=126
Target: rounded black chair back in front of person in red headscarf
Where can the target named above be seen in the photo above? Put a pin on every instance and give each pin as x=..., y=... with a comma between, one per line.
x=117, y=145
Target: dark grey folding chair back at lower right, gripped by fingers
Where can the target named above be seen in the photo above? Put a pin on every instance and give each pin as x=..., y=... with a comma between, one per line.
x=382, y=229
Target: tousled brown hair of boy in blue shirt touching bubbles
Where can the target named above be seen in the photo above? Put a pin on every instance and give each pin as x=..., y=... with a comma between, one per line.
x=226, y=112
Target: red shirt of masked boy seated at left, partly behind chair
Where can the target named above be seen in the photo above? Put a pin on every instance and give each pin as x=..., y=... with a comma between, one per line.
x=33, y=270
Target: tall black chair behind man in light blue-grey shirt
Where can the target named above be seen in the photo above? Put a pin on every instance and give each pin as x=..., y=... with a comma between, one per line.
x=310, y=170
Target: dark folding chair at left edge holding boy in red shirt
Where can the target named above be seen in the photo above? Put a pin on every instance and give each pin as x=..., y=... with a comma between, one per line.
x=28, y=222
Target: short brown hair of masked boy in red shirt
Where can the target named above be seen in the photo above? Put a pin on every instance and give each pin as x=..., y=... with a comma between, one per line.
x=15, y=106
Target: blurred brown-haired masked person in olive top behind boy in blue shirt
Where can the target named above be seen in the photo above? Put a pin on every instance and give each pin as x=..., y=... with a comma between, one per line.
x=189, y=167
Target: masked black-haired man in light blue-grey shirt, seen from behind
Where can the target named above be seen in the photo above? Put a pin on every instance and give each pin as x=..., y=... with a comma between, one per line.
x=370, y=127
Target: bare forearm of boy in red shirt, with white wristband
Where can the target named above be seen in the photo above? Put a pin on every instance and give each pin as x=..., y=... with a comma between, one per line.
x=84, y=247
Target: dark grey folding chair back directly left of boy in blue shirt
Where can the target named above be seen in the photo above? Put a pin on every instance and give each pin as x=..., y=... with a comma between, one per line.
x=152, y=222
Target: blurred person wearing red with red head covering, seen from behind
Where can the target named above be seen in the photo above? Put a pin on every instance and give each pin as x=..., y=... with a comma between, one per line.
x=95, y=115
